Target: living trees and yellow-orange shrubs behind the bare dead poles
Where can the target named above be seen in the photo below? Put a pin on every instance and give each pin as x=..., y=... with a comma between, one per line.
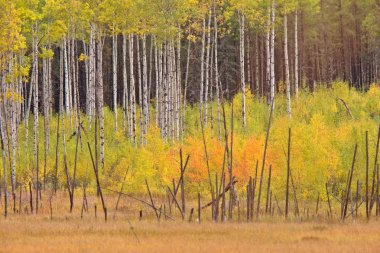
x=150, y=75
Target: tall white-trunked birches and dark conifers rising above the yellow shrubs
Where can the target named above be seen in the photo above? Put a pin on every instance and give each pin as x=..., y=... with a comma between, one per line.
x=152, y=58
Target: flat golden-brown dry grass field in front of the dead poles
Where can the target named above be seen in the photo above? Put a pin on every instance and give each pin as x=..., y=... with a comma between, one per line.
x=69, y=233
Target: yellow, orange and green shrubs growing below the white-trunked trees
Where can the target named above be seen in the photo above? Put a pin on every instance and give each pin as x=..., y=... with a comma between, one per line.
x=326, y=124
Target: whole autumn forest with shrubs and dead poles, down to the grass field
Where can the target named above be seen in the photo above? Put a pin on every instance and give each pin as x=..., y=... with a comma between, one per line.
x=228, y=102
